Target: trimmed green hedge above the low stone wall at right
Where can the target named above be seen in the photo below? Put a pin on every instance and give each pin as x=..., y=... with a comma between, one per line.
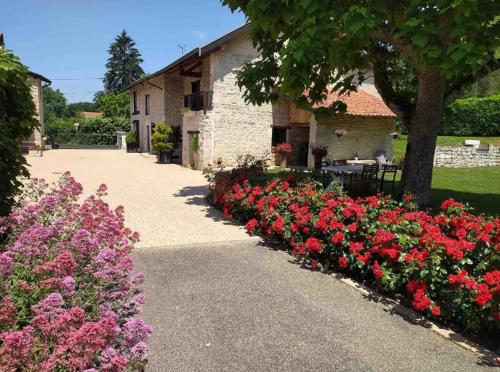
x=473, y=117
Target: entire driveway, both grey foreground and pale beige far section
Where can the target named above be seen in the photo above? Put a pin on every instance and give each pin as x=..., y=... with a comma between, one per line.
x=235, y=305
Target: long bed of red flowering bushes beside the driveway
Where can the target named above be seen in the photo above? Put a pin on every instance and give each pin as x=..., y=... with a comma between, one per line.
x=444, y=265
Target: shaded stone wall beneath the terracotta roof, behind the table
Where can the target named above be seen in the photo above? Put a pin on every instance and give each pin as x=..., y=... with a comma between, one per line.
x=365, y=135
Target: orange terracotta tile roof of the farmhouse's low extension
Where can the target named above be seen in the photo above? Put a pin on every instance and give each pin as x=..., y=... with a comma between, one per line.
x=360, y=103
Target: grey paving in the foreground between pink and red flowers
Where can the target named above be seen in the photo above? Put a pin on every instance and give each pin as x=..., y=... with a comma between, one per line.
x=238, y=306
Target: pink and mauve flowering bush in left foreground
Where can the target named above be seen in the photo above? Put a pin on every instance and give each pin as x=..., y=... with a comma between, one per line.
x=68, y=299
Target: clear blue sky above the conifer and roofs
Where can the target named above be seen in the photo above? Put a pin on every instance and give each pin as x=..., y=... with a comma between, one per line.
x=69, y=39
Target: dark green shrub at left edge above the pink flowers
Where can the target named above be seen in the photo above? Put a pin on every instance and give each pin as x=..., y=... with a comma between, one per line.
x=17, y=122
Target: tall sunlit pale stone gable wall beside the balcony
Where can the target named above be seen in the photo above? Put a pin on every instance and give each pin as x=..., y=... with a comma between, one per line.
x=233, y=128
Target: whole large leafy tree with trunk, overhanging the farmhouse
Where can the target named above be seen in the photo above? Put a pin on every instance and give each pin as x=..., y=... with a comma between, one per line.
x=421, y=54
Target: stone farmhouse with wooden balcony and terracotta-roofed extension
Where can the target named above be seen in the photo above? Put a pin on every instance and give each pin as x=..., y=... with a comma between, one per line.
x=199, y=93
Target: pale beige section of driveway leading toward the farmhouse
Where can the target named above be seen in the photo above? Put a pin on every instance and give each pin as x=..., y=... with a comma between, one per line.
x=163, y=202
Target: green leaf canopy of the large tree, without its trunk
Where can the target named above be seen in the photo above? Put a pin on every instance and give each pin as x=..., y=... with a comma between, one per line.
x=301, y=46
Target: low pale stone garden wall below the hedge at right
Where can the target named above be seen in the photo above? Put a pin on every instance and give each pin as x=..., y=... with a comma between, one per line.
x=467, y=156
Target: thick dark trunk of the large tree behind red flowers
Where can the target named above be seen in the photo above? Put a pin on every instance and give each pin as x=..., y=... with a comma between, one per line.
x=423, y=127
